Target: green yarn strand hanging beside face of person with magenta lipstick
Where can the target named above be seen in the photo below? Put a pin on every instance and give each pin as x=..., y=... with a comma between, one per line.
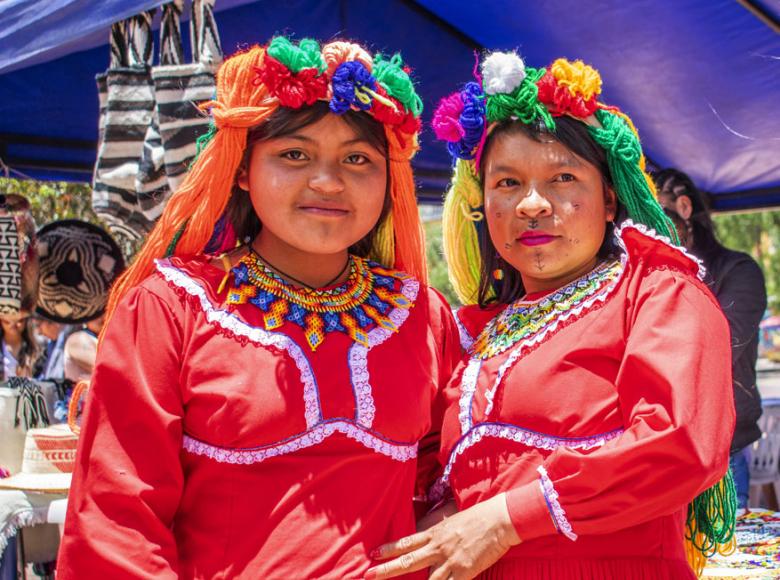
x=624, y=153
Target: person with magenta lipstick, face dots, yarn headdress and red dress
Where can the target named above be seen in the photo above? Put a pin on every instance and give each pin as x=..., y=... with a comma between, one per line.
x=587, y=429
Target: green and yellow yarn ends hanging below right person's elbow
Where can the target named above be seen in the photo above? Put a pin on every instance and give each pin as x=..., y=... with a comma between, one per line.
x=713, y=515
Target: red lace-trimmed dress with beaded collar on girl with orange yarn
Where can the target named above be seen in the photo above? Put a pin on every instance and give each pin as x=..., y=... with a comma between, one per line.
x=261, y=432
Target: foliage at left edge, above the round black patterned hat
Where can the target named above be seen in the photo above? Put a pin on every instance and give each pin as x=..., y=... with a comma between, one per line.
x=52, y=201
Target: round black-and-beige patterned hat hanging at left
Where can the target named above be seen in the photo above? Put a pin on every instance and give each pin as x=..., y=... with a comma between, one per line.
x=78, y=262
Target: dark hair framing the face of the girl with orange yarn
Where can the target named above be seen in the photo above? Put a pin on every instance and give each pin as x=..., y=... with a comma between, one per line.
x=286, y=121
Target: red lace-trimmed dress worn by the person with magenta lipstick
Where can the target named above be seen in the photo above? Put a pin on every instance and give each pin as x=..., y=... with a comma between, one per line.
x=601, y=409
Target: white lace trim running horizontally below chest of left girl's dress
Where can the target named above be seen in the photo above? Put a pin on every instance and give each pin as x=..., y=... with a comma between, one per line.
x=311, y=437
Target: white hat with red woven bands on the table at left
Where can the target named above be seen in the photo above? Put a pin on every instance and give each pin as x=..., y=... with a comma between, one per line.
x=47, y=464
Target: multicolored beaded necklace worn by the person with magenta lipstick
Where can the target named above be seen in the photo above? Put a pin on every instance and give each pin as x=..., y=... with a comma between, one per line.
x=524, y=319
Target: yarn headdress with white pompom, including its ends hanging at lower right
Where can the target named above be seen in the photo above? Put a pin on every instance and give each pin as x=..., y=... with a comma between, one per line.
x=506, y=89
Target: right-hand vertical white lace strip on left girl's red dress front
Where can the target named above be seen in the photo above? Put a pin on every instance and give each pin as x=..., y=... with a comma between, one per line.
x=358, y=357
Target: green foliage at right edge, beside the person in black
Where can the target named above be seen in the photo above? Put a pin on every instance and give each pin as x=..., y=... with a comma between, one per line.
x=757, y=234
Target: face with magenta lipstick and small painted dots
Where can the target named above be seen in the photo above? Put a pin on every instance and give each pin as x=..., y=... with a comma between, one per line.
x=546, y=209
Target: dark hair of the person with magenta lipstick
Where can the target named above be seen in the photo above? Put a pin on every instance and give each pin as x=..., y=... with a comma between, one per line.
x=573, y=135
